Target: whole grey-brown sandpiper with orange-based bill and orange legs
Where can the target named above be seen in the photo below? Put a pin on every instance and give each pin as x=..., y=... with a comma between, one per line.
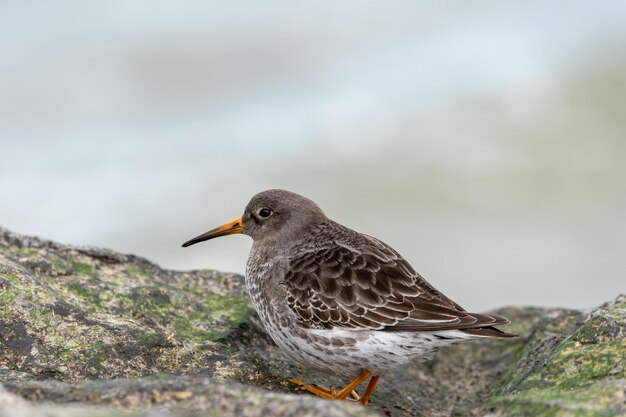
x=339, y=301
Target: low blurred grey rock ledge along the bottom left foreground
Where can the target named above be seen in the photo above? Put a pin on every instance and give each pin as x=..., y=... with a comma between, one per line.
x=165, y=395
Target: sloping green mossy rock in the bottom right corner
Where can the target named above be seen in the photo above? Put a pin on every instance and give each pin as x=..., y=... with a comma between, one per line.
x=582, y=376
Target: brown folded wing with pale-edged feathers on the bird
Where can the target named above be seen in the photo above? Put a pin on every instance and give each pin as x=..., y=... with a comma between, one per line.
x=371, y=288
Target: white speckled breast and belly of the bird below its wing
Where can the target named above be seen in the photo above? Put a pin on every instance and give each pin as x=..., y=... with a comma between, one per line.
x=340, y=352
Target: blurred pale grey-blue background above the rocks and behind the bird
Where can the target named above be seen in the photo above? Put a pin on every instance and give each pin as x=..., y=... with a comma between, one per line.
x=486, y=142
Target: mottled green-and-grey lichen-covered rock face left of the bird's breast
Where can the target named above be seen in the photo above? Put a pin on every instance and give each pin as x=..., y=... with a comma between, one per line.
x=72, y=313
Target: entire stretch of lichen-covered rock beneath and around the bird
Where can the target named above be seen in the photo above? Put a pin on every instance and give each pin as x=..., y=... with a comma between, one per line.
x=91, y=330
